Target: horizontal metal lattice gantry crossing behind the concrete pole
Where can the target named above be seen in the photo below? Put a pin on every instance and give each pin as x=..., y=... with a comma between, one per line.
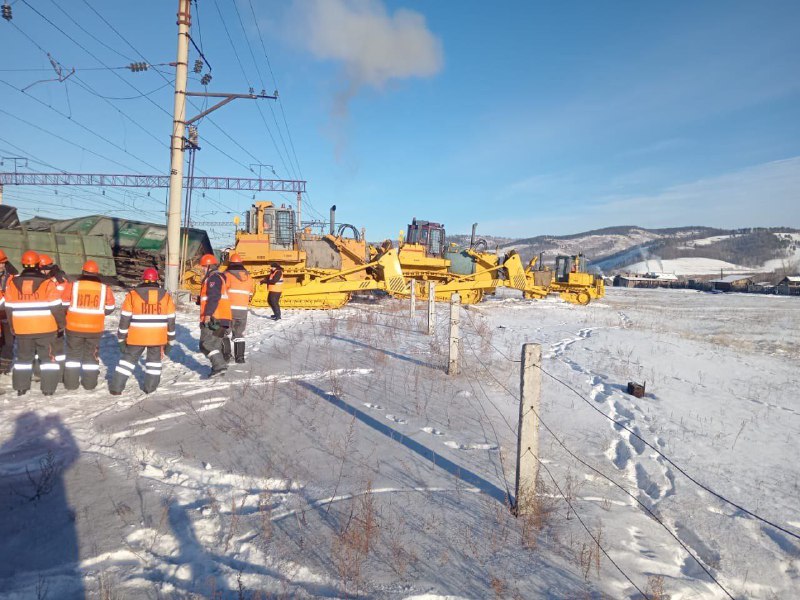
x=255, y=184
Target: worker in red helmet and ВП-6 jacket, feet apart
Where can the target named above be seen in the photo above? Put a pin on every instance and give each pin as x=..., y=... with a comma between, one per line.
x=146, y=325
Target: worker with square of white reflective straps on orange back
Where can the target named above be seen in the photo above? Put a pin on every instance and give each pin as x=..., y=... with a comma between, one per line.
x=88, y=301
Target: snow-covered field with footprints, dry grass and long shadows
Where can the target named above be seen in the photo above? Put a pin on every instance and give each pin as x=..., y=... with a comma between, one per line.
x=342, y=461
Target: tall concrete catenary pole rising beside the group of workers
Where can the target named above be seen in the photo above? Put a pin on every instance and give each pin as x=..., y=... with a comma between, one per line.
x=172, y=278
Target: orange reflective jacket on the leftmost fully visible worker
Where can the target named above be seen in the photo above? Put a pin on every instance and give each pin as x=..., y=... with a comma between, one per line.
x=32, y=309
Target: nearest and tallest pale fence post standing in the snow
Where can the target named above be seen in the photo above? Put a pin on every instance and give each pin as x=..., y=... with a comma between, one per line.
x=530, y=388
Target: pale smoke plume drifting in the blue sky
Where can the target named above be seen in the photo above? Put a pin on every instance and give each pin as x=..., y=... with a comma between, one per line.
x=373, y=46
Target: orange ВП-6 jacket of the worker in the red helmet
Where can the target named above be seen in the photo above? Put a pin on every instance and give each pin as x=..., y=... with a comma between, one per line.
x=150, y=310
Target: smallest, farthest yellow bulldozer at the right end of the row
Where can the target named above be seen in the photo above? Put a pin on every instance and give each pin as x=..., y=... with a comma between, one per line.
x=569, y=279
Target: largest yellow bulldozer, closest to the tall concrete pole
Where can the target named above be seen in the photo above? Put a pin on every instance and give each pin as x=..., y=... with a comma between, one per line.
x=319, y=271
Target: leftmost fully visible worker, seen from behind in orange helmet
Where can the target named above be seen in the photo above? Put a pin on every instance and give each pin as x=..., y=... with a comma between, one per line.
x=36, y=315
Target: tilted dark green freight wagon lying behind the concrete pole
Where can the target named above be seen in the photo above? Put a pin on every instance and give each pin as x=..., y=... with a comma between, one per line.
x=136, y=245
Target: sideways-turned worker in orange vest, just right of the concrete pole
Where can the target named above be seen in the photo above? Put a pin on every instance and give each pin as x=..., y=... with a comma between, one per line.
x=215, y=315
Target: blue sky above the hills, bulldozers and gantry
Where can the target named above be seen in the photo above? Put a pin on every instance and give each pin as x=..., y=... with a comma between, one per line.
x=527, y=117
